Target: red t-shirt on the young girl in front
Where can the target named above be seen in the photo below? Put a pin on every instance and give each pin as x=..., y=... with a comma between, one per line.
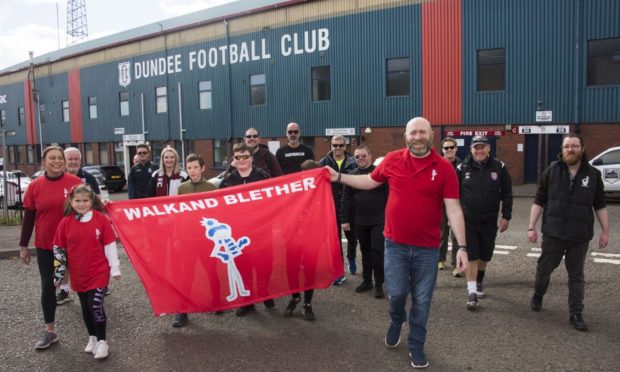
x=85, y=242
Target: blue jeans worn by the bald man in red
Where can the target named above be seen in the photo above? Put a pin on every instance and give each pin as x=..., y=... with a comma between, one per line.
x=410, y=269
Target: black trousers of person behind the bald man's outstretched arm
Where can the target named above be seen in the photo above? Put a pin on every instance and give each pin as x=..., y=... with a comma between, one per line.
x=372, y=245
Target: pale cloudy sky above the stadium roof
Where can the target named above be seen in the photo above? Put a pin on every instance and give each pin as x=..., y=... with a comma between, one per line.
x=32, y=25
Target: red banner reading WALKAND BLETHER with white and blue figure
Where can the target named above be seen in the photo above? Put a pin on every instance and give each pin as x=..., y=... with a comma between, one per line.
x=232, y=247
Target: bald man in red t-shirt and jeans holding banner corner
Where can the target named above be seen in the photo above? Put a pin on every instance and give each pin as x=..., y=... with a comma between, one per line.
x=420, y=182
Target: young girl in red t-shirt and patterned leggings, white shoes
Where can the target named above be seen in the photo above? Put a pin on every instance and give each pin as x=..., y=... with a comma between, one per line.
x=85, y=239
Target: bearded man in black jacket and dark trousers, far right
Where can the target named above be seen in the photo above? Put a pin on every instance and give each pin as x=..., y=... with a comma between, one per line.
x=569, y=193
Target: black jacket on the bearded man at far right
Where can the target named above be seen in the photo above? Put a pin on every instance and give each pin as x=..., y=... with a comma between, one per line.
x=567, y=212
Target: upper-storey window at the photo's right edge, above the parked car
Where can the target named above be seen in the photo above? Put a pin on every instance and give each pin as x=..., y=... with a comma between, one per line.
x=604, y=62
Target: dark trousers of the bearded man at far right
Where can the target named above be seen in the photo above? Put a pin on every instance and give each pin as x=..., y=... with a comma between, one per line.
x=574, y=253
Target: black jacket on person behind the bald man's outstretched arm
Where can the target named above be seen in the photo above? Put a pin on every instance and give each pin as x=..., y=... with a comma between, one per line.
x=364, y=207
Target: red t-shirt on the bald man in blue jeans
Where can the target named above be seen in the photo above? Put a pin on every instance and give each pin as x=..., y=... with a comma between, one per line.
x=417, y=189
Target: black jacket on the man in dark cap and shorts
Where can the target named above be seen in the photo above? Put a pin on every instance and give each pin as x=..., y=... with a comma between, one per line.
x=483, y=186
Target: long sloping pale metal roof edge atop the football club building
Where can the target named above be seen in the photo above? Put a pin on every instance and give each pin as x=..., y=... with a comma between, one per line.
x=226, y=11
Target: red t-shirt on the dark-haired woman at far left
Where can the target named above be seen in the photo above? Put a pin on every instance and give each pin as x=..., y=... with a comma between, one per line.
x=47, y=197
